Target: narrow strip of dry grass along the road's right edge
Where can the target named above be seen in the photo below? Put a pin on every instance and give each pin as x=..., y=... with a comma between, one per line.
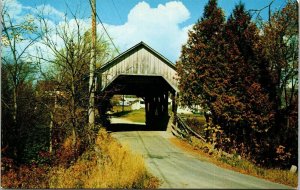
x=197, y=148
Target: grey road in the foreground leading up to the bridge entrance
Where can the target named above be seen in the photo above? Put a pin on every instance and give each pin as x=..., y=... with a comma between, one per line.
x=179, y=169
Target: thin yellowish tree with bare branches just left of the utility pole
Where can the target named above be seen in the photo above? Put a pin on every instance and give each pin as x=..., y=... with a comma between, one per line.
x=71, y=61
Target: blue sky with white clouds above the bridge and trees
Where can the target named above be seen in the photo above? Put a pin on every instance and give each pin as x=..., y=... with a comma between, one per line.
x=162, y=24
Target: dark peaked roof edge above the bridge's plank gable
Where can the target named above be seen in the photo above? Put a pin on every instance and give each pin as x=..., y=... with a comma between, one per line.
x=130, y=51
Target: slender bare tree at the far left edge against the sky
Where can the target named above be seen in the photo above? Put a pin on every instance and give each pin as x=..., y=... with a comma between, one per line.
x=16, y=42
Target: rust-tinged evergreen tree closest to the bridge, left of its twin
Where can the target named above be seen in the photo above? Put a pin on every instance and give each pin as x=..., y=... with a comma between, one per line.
x=198, y=67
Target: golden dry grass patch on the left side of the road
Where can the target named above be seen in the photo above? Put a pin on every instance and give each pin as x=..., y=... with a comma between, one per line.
x=109, y=165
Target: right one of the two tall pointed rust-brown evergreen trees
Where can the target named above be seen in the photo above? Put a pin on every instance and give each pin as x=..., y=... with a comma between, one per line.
x=250, y=115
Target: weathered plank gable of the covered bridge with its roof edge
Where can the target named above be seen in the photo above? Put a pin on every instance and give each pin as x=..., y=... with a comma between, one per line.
x=139, y=60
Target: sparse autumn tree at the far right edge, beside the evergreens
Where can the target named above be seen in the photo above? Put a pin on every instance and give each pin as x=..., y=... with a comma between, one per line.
x=280, y=49
